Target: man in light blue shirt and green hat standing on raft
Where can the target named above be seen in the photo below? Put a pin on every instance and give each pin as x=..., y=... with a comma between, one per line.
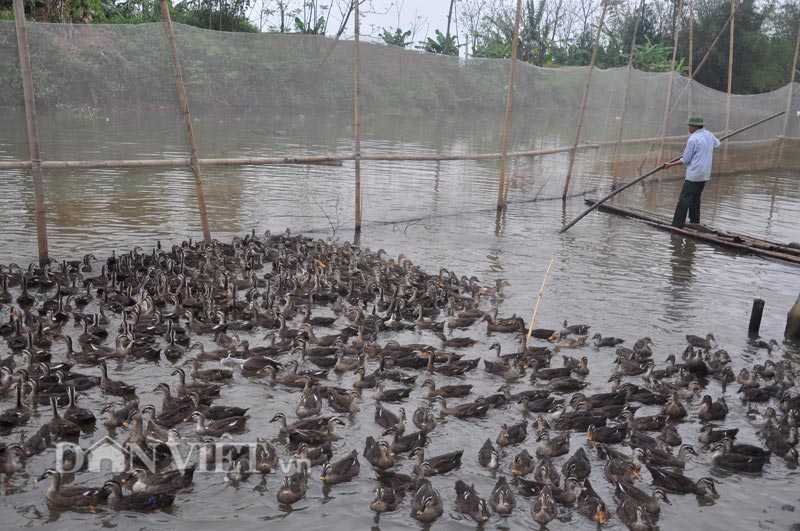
x=697, y=157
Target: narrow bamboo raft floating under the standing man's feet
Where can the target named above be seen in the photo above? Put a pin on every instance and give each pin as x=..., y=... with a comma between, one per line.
x=730, y=240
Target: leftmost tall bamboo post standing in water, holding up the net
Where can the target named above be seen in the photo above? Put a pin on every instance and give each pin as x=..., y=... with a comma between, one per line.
x=33, y=130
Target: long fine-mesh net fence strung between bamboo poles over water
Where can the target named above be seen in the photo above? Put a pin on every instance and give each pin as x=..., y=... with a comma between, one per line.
x=107, y=92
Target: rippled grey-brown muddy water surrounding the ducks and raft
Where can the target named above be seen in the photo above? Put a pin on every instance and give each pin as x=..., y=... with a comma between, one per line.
x=623, y=278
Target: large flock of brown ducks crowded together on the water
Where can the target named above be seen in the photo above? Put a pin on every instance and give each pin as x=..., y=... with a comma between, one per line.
x=167, y=307
